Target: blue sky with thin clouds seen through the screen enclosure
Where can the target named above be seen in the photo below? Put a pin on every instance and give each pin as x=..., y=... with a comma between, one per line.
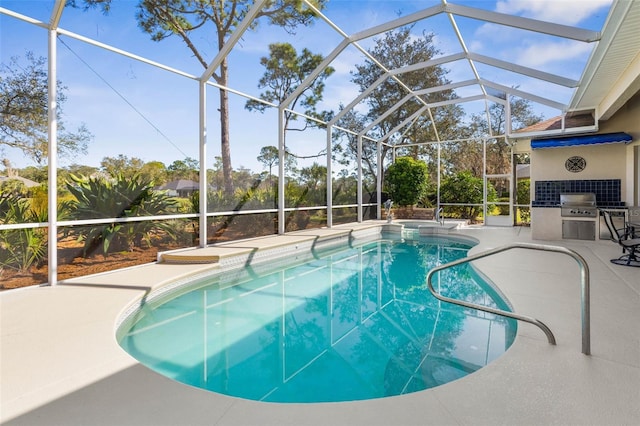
x=138, y=110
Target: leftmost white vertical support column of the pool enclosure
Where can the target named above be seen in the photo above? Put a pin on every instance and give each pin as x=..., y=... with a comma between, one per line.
x=52, y=160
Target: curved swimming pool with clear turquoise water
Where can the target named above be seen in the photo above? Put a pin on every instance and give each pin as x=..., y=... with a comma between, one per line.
x=342, y=324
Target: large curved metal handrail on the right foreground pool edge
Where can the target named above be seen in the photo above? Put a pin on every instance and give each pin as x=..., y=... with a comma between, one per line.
x=585, y=298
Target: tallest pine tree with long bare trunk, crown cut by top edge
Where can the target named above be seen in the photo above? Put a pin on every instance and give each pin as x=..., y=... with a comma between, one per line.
x=183, y=18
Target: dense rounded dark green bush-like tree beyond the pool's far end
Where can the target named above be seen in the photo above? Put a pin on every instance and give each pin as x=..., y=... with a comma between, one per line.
x=406, y=181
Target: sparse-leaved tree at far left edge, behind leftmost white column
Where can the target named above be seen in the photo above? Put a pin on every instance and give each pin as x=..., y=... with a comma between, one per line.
x=24, y=109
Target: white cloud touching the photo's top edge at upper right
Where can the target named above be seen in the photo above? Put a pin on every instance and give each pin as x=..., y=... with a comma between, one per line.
x=568, y=12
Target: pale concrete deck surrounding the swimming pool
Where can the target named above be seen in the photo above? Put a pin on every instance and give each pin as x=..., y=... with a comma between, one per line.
x=60, y=363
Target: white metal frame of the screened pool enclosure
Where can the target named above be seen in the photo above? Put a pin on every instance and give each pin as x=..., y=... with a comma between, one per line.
x=450, y=10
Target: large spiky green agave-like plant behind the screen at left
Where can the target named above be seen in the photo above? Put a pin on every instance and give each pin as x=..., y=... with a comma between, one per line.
x=120, y=197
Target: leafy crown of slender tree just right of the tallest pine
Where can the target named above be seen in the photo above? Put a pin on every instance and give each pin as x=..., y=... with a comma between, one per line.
x=284, y=72
